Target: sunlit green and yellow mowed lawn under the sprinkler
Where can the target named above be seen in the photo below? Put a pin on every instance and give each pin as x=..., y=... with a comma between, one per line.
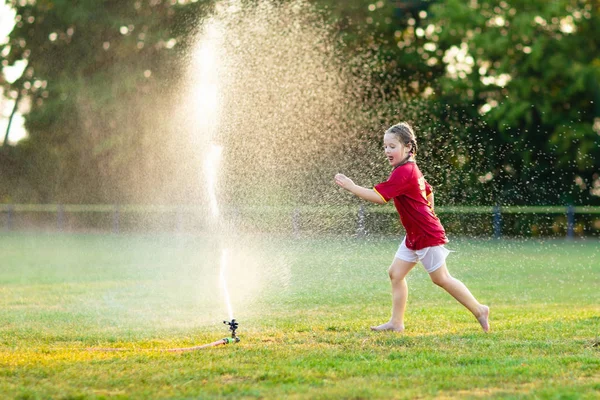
x=304, y=306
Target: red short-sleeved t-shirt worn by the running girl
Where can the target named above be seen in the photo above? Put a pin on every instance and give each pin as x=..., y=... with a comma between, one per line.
x=407, y=186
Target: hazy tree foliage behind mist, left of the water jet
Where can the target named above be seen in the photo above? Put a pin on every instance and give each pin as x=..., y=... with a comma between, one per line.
x=101, y=77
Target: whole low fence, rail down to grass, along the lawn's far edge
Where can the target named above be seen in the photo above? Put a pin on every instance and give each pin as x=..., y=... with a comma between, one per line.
x=569, y=221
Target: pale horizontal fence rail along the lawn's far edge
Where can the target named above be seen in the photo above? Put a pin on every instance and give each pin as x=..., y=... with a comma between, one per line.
x=114, y=215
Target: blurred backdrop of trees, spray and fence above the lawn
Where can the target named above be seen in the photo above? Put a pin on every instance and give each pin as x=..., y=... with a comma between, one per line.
x=109, y=108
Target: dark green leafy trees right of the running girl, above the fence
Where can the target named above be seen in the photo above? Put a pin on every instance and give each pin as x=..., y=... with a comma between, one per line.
x=539, y=121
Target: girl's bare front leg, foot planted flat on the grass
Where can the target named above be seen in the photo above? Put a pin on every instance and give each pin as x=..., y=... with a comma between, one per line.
x=397, y=271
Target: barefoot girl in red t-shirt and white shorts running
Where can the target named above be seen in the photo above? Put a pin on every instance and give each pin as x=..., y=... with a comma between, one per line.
x=425, y=235
